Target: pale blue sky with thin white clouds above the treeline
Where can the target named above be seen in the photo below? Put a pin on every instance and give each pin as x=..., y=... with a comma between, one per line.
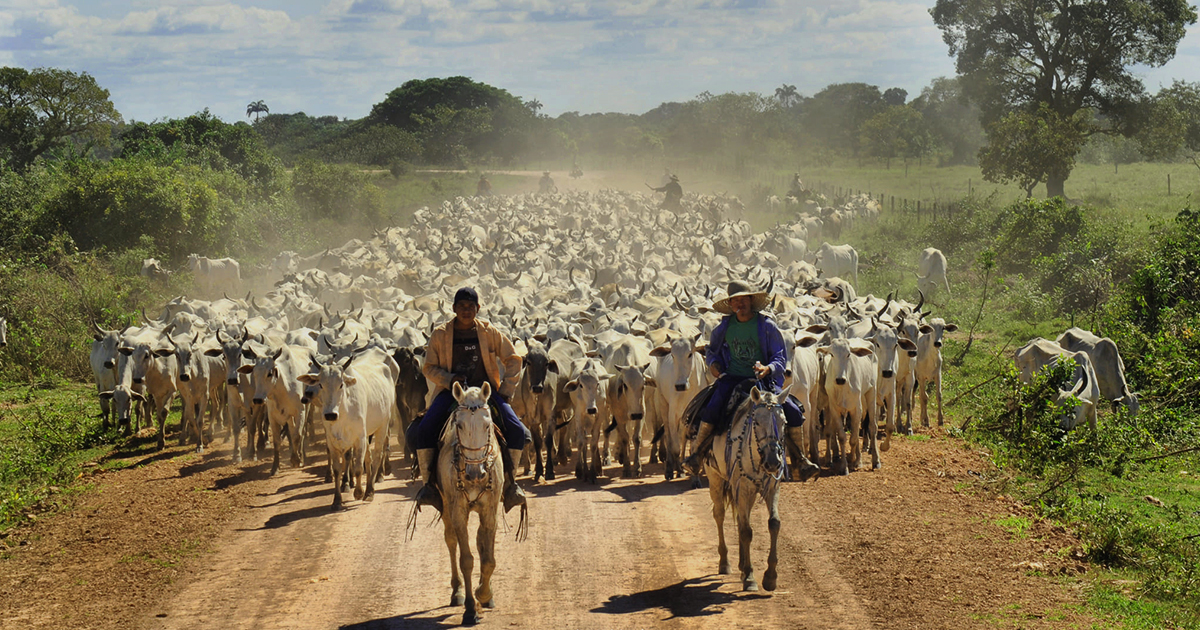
x=172, y=58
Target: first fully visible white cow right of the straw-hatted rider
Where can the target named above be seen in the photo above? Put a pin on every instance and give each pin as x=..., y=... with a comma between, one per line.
x=850, y=387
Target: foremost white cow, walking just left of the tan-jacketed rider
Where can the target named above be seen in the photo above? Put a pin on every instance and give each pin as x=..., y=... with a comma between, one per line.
x=359, y=406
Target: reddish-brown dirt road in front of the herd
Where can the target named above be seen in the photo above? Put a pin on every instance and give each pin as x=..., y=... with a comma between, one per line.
x=896, y=549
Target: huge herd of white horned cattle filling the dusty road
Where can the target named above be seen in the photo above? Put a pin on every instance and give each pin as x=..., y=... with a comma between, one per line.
x=607, y=297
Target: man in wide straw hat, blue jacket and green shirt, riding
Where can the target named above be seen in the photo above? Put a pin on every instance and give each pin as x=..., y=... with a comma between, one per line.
x=746, y=349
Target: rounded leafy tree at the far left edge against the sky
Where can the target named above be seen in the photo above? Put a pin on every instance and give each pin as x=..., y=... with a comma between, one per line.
x=46, y=109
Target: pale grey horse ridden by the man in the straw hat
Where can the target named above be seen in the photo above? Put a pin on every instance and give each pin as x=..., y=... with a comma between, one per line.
x=746, y=463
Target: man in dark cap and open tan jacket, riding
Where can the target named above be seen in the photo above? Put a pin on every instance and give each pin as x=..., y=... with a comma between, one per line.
x=467, y=351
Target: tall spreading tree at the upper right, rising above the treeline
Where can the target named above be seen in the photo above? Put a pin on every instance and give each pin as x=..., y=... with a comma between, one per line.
x=1060, y=57
